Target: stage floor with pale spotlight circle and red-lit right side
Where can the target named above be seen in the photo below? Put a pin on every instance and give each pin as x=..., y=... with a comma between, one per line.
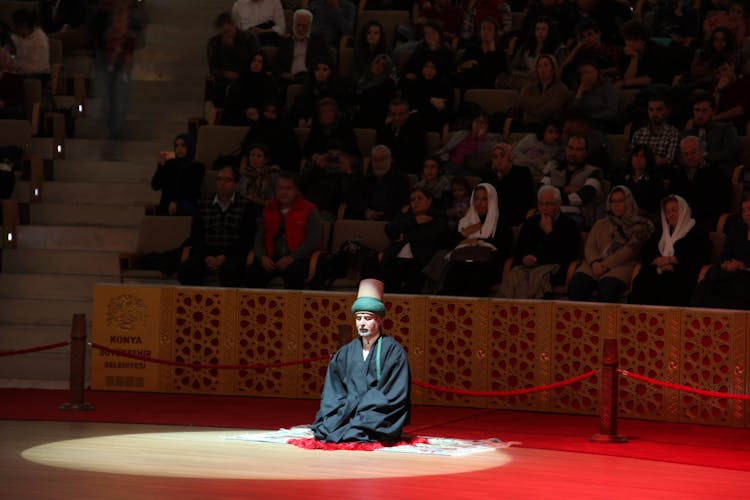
x=61, y=460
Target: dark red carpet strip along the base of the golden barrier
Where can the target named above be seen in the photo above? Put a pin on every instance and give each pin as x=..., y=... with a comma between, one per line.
x=681, y=443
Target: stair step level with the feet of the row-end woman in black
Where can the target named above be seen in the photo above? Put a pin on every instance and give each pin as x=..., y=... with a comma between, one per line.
x=60, y=214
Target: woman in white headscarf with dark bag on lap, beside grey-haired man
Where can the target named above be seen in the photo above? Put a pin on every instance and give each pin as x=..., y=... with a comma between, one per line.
x=475, y=263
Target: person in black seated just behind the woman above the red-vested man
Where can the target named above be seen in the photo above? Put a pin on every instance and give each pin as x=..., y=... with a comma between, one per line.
x=277, y=134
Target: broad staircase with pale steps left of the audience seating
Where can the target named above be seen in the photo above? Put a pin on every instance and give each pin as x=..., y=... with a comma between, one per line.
x=92, y=207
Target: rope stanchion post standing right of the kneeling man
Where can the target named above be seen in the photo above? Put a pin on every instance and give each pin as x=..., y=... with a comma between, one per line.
x=608, y=396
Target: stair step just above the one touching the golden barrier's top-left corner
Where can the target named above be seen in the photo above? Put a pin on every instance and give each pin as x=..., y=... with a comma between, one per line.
x=43, y=261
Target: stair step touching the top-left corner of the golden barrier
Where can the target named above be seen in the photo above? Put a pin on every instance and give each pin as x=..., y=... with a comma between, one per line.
x=50, y=286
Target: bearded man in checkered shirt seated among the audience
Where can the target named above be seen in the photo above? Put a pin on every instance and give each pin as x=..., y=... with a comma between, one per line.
x=662, y=138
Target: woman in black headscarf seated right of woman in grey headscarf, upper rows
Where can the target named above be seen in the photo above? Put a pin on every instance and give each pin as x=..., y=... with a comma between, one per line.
x=431, y=95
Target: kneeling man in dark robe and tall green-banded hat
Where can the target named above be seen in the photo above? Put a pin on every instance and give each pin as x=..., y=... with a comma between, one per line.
x=366, y=396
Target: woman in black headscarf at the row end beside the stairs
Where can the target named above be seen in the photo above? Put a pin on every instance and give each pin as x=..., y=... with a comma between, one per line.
x=179, y=178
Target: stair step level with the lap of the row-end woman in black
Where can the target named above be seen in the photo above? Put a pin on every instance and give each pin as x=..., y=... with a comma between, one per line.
x=103, y=193
